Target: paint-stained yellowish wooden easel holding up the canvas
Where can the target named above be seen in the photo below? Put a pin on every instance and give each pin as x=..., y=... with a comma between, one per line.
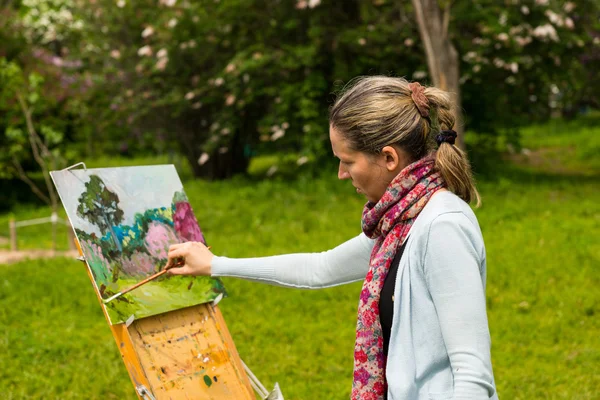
x=182, y=354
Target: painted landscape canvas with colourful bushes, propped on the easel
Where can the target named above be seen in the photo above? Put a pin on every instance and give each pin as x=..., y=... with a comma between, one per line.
x=125, y=219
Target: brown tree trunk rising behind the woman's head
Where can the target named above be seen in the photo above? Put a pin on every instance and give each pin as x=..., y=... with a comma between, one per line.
x=442, y=57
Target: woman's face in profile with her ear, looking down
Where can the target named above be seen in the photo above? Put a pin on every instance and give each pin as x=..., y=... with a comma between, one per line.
x=370, y=173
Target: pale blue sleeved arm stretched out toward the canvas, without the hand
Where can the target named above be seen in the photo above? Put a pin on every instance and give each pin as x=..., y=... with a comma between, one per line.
x=348, y=262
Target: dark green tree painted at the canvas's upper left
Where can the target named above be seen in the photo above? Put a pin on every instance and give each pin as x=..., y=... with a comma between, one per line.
x=100, y=206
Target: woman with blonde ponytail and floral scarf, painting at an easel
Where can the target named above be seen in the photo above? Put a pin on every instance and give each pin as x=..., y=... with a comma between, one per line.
x=422, y=330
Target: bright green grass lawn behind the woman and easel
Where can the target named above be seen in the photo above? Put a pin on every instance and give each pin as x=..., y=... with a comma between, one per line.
x=541, y=228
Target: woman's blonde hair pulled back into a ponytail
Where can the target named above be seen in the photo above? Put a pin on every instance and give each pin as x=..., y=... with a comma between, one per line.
x=377, y=111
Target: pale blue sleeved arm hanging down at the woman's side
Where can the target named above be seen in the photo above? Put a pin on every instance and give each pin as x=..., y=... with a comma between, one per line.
x=452, y=265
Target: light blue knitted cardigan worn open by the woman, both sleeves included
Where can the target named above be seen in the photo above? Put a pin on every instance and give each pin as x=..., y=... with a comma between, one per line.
x=440, y=342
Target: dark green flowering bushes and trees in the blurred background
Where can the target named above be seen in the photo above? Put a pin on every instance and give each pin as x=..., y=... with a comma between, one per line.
x=222, y=82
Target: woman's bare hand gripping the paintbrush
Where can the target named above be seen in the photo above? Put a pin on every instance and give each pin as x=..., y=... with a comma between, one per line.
x=196, y=258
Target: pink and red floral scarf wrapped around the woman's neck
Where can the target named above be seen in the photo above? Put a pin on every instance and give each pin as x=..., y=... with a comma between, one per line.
x=388, y=221
